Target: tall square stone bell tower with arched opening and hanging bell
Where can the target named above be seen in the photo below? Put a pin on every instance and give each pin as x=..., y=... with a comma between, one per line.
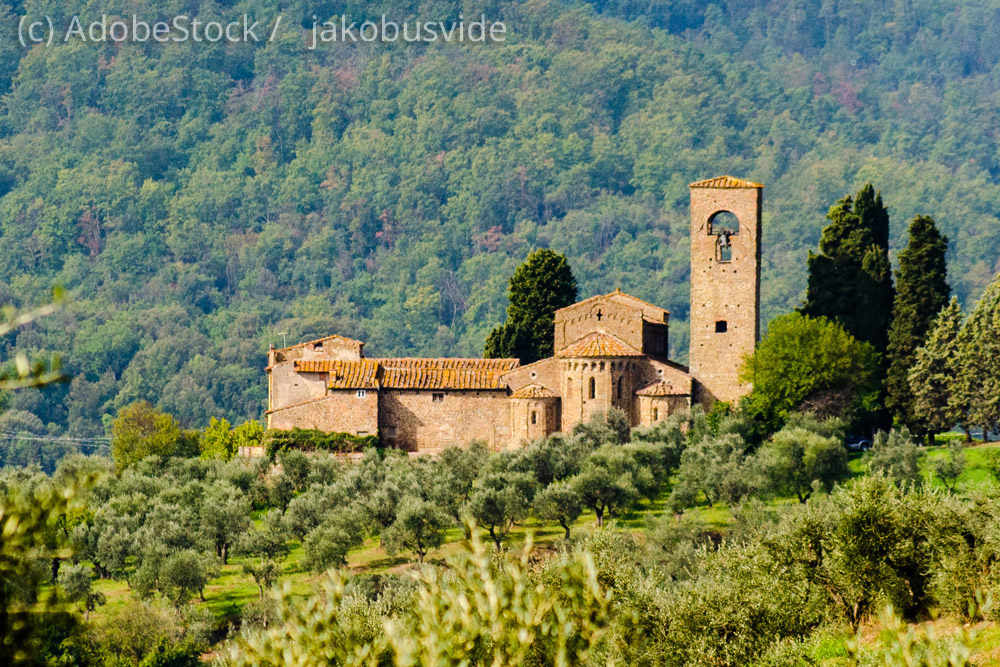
x=725, y=284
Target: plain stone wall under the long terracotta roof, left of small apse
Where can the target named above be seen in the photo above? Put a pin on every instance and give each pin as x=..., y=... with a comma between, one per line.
x=414, y=421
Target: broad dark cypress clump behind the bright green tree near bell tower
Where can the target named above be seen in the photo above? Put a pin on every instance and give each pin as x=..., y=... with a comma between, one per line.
x=850, y=280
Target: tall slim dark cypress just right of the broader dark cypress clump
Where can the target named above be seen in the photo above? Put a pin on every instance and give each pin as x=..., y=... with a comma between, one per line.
x=921, y=292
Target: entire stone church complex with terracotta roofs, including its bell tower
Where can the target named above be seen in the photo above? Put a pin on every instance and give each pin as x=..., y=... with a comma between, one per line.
x=610, y=351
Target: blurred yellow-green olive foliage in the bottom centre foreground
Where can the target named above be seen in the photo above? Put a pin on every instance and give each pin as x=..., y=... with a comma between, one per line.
x=481, y=610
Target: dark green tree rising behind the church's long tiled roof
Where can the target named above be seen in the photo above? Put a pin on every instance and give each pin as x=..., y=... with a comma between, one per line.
x=540, y=286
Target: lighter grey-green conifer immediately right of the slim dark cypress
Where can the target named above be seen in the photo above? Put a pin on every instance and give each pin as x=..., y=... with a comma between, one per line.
x=937, y=400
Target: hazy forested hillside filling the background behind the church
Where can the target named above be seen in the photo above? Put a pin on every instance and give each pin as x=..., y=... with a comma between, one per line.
x=200, y=203
